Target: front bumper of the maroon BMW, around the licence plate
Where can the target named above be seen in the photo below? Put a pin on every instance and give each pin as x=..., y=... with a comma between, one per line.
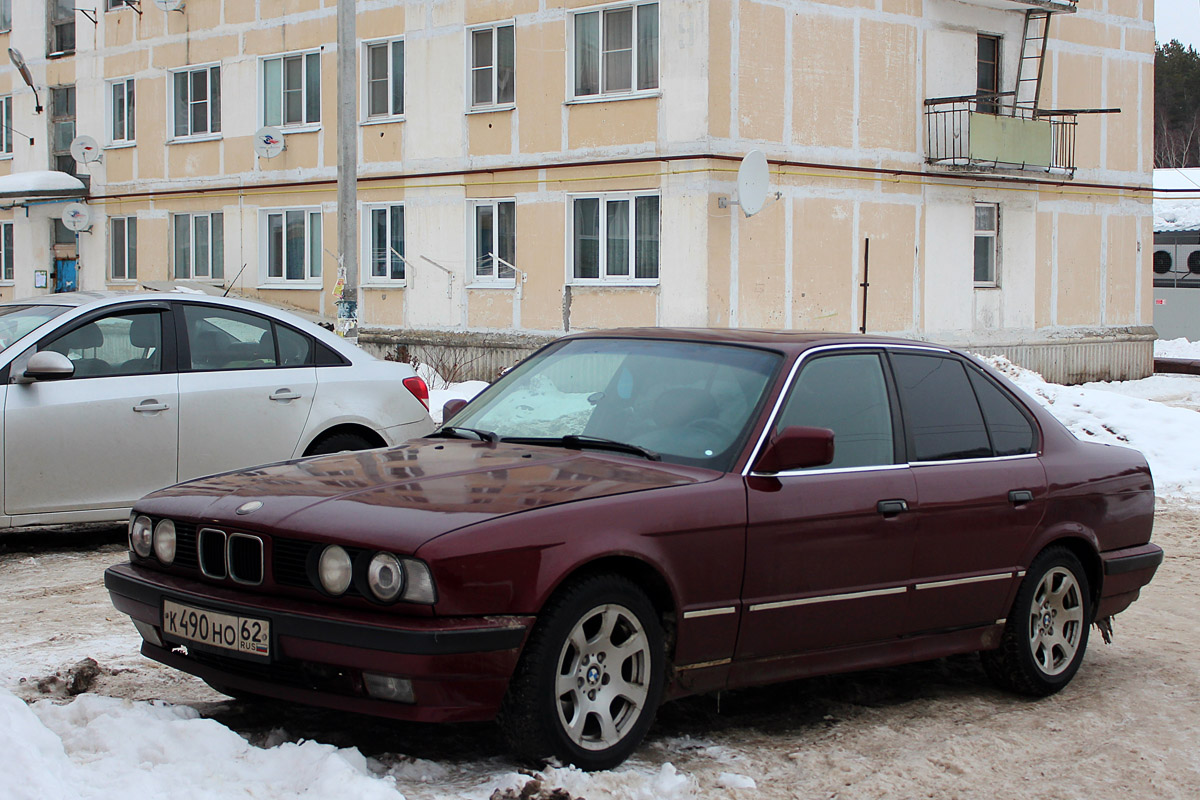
x=459, y=667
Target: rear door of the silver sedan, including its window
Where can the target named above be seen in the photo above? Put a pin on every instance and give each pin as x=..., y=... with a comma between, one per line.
x=247, y=388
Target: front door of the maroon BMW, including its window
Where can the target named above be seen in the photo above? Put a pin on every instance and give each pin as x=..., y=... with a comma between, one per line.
x=830, y=550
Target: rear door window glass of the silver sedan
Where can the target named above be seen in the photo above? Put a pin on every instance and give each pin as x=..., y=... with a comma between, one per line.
x=224, y=339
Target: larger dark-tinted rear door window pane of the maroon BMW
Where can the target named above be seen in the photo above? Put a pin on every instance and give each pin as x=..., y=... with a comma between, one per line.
x=940, y=408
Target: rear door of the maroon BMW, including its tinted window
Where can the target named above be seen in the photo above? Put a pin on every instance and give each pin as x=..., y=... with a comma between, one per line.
x=981, y=484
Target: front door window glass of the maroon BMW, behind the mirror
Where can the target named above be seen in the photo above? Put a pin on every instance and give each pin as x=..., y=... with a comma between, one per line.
x=848, y=395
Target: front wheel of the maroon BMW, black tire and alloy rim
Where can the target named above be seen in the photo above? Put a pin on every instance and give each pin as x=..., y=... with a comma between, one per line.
x=591, y=677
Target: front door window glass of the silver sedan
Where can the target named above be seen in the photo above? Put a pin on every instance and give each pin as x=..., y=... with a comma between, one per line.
x=122, y=345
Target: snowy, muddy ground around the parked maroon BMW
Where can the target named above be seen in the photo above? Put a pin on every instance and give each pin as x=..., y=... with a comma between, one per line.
x=1125, y=729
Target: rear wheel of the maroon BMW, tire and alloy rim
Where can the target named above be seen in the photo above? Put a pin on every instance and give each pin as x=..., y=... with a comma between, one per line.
x=1046, y=635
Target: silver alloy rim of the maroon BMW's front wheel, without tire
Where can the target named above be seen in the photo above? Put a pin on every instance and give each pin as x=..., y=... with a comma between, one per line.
x=603, y=677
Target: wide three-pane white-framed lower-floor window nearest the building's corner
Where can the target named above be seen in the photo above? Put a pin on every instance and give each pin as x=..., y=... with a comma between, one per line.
x=616, y=238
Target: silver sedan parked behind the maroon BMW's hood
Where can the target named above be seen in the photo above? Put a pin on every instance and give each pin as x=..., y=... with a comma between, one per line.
x=109, y=396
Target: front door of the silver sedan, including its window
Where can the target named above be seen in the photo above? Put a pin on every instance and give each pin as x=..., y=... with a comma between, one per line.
x=103, y=438
